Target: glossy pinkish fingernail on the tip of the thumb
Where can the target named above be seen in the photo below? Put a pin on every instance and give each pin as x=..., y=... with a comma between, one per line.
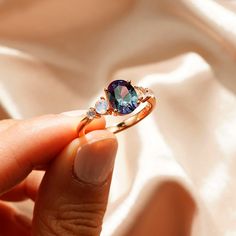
x=94, y=160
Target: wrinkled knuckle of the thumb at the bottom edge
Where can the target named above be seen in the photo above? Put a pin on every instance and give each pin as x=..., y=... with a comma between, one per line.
x=74, y=219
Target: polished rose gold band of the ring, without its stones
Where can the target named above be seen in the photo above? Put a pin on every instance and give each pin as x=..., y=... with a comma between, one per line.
x=149, y=102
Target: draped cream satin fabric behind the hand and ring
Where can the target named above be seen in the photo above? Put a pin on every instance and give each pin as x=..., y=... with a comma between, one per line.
x=175, y=170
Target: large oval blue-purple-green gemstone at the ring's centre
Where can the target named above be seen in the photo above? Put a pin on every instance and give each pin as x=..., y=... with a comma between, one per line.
x=122, y=96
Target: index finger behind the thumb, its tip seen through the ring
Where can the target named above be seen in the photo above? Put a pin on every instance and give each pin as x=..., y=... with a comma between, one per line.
x=31, y=143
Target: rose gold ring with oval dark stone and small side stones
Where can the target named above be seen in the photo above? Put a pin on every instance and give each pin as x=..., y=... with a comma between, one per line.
x=121, y=99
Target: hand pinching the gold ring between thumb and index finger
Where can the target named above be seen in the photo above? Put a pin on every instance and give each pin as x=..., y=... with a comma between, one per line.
x=72, y=197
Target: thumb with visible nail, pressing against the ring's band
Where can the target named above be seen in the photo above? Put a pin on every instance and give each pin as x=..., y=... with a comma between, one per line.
x=73, y=194
